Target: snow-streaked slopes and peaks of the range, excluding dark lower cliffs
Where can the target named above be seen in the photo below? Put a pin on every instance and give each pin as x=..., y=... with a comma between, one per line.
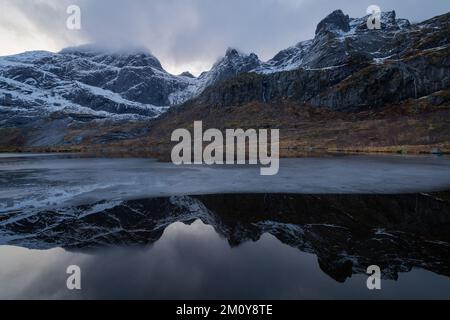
x=130, y=84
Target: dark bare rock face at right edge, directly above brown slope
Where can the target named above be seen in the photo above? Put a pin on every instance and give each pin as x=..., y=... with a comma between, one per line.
x=393, y=82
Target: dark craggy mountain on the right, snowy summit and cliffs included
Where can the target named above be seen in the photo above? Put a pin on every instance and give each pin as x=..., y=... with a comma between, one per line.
x=347, y=67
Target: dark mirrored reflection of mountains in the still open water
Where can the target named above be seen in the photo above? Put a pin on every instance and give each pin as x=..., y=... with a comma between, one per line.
x=347, y=233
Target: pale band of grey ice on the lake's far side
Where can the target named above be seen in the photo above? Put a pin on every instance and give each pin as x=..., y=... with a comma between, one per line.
x=40, y=181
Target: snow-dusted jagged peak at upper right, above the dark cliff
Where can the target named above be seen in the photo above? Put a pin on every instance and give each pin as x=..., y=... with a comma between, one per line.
x=338, y=40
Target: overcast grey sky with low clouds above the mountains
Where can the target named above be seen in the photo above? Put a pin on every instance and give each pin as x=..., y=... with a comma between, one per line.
x=184, y=34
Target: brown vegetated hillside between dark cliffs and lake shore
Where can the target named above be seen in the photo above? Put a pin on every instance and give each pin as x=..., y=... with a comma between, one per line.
x=414, y=126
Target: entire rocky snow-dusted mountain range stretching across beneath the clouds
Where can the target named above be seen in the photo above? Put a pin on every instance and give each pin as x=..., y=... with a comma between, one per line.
x=346, y=67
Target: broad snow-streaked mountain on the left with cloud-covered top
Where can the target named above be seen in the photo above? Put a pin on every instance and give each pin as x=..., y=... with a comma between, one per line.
x=85, y=80
